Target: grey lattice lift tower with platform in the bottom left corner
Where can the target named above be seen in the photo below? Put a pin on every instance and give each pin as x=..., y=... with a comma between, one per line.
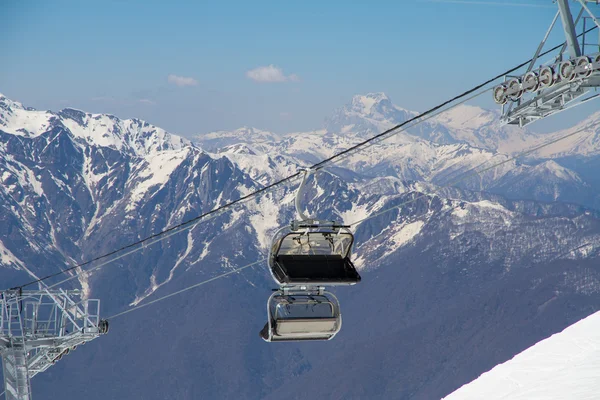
x=38, y=328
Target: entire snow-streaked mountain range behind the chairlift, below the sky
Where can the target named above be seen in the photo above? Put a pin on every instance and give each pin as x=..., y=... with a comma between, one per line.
x=443, y=271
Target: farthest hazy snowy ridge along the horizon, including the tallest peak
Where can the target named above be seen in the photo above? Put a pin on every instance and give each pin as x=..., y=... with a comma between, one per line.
x=373, y=113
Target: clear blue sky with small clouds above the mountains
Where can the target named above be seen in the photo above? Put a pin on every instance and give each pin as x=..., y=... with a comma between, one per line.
x=192, y=67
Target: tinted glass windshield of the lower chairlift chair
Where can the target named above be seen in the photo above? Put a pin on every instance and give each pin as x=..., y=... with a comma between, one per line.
x=302, y=307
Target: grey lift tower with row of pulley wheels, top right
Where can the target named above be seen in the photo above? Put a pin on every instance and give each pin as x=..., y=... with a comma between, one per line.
x=570, y=79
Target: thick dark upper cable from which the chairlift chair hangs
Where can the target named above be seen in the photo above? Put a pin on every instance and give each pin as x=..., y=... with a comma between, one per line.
x=155, y=238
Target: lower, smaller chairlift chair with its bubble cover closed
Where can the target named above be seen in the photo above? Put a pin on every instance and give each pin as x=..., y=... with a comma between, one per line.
x=296, y=315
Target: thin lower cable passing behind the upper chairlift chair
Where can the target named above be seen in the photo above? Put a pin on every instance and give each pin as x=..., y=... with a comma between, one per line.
x=463, y=177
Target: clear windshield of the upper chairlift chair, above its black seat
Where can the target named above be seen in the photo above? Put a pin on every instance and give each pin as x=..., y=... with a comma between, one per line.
x=316, y=243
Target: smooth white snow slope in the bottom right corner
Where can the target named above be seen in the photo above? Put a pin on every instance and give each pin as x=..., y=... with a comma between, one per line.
x=564, y=366
